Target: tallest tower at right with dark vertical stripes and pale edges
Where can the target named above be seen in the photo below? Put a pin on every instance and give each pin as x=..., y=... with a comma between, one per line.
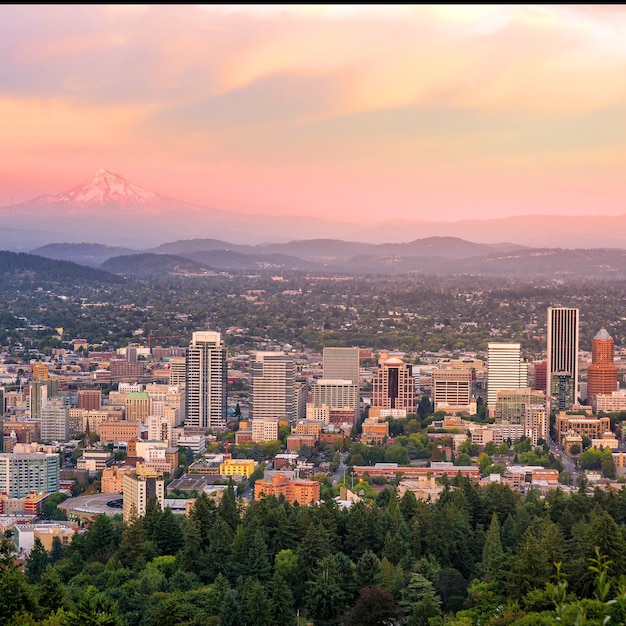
x=562, y=368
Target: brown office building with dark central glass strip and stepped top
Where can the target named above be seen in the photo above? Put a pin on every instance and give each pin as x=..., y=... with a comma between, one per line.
x=394, y=385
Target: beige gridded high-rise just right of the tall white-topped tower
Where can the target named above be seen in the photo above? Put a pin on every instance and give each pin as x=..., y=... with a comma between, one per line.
x=273, y=386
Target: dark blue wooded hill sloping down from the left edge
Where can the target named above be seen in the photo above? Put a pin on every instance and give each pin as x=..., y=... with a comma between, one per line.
x=17, y=266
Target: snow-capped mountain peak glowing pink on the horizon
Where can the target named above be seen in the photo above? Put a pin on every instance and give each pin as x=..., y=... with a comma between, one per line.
x=104, y=190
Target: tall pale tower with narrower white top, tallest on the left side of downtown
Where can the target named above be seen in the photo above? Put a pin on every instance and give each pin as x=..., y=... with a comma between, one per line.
x=206, y=377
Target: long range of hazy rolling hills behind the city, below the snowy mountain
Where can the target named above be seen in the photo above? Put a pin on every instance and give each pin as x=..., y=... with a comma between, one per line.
x=432, y=255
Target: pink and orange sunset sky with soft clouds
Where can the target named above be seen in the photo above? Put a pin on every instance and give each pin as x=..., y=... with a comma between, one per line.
x=352, y=113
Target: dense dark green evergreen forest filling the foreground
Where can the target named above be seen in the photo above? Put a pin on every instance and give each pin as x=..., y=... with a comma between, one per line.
x=479, y=555
